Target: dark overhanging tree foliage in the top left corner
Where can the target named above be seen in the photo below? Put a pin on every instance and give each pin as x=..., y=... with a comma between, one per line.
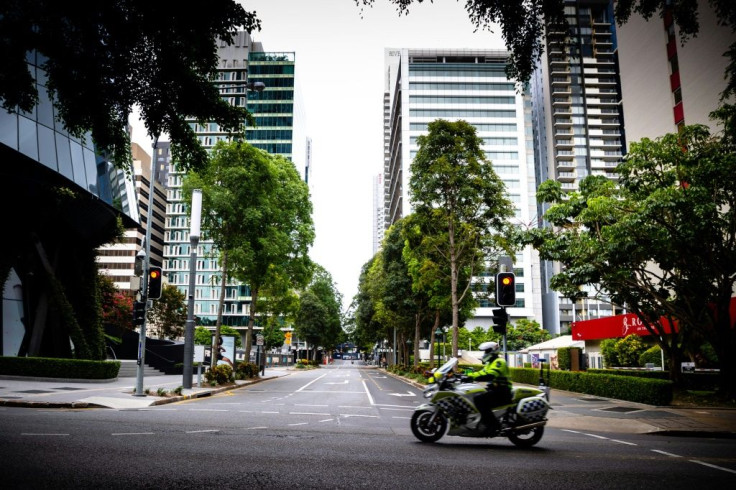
x=104, y=59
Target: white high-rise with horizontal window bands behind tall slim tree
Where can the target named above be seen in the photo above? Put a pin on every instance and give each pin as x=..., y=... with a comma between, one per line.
x=423, y=85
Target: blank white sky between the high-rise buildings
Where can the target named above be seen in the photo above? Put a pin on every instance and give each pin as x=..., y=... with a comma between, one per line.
x=339, y=67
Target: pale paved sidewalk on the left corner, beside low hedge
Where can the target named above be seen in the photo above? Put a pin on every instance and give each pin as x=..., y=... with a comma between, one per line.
x=18, y=391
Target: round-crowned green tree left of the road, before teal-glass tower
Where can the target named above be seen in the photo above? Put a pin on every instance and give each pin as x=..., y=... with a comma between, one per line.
x=256, y=210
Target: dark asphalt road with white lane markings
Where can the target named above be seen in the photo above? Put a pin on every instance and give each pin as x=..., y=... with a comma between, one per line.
x=335, y=427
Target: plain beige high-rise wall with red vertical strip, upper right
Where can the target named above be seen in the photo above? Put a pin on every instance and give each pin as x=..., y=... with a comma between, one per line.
x=666, y=83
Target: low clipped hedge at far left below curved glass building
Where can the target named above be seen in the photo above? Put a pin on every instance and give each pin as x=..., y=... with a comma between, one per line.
x=46, y=367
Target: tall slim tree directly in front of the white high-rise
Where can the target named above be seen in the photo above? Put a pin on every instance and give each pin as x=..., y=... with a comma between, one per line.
x=461, y=204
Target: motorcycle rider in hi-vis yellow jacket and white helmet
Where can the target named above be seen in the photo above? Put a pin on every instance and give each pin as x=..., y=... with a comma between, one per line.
x=498, y=391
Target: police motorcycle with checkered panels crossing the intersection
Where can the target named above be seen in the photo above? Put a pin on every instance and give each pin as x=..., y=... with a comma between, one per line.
x=452, y=405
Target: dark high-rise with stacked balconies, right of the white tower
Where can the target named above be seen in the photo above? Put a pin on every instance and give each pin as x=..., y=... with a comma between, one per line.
x=578, y=124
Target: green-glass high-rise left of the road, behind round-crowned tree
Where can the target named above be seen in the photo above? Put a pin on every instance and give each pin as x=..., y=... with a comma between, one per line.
x=279, y=130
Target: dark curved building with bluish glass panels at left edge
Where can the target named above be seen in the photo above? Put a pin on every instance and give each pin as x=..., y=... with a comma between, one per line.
x=60, y=203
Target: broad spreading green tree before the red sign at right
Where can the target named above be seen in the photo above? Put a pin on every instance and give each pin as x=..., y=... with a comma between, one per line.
x=661, y=243
